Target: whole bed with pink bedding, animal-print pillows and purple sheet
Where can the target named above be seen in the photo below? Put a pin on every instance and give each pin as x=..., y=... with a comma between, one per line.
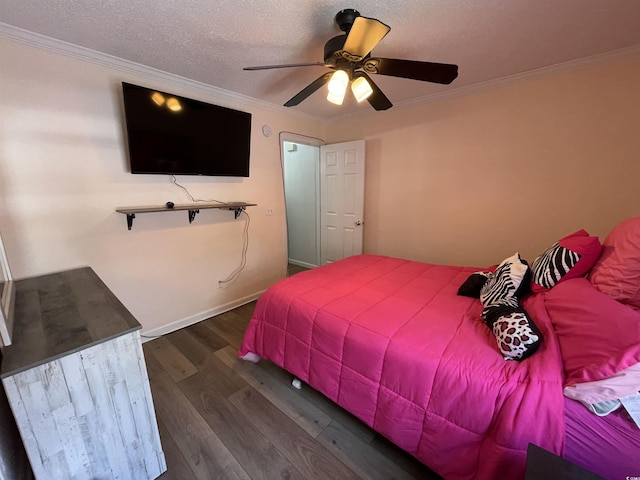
x=393, y=342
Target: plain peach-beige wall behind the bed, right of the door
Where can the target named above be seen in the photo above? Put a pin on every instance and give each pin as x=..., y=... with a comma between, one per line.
x=472, y=179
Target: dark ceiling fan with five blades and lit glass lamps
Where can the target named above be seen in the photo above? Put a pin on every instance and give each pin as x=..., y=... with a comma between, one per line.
x=349, y=55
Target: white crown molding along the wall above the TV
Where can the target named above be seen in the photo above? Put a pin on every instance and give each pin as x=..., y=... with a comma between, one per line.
x=103, y=59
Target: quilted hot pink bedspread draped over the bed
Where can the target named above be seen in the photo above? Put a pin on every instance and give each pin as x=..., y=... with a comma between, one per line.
x=391, y=342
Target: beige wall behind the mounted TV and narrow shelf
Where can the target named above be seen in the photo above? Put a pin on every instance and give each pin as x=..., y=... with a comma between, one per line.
x=64, y=171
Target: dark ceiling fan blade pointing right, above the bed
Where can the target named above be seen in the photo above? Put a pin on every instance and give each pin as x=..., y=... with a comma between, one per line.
x=426, y=71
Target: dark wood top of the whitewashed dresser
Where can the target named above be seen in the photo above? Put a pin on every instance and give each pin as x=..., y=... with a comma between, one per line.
x=59, y=314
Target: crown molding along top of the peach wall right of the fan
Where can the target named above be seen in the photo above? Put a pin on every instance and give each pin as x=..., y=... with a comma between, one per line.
x=504, y=81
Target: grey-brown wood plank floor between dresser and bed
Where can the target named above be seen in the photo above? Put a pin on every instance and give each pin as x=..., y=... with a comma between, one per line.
x=224, y=418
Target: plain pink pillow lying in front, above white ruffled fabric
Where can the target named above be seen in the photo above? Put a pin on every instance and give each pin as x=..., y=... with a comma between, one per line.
x=598, y=336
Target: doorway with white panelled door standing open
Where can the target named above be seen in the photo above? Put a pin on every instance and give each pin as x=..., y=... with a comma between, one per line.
x=324, y=199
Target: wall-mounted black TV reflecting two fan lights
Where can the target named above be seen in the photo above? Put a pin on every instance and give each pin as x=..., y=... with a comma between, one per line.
x=169, y=134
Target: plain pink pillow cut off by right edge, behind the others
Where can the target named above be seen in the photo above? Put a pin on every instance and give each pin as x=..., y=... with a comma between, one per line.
x=617, y=273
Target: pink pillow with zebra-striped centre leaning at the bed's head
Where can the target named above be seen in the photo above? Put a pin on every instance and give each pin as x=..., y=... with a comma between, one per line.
x=570, y=257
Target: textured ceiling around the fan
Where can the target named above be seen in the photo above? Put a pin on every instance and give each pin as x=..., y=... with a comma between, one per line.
x=210, y=41
